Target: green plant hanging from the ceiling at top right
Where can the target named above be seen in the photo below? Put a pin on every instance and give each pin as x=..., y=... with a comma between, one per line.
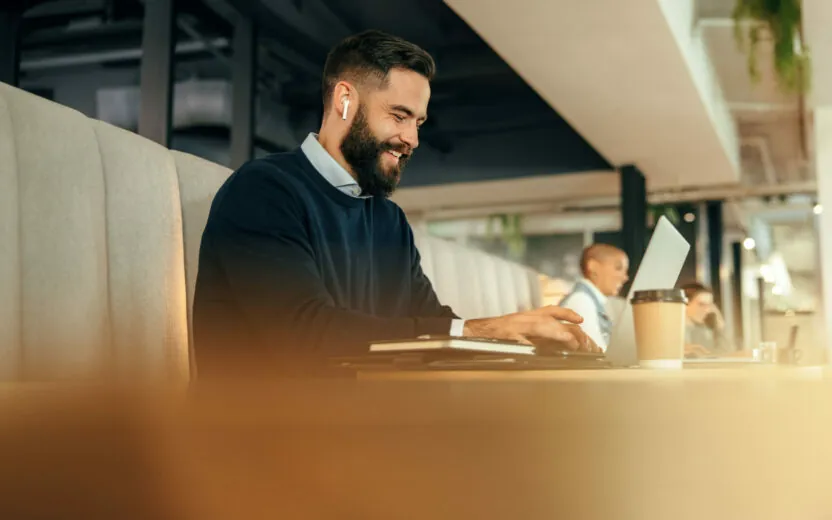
x=780, y=20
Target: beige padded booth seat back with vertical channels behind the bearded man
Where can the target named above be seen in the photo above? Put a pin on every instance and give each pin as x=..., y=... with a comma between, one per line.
x=99, y=241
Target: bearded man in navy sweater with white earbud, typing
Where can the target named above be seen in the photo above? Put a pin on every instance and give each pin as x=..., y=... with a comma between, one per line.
x=303, y=255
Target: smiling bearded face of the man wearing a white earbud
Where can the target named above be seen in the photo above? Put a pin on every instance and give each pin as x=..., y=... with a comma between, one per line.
x=384, y=131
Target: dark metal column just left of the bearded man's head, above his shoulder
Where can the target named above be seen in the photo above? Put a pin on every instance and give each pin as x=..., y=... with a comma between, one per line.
x=243, y=76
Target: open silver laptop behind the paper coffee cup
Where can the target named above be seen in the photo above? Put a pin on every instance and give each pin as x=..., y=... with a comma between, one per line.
x=659, y=269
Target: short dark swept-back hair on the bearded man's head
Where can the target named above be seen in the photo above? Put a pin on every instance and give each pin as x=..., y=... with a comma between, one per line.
x=372, y=55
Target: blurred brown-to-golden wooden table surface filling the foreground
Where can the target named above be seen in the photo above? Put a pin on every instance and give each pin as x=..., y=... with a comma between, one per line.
x=750, y=443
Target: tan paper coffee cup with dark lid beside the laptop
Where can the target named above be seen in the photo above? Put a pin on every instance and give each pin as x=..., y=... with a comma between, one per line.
x=659, y=322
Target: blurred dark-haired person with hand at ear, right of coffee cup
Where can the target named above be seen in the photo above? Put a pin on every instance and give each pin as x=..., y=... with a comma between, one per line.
x=705, y=326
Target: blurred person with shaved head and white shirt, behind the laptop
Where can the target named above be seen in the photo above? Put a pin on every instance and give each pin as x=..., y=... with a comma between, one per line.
x=604, y=270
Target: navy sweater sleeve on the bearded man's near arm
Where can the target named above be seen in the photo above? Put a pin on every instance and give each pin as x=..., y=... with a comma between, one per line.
x=262, y=245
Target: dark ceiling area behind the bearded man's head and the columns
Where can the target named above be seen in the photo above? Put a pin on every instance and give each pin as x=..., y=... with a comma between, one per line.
x=486, y=122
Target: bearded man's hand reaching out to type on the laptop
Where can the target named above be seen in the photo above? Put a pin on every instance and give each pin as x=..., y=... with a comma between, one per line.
x=548, y=325
